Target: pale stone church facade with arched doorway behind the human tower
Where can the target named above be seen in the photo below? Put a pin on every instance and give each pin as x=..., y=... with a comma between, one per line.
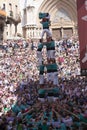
x=63, y=17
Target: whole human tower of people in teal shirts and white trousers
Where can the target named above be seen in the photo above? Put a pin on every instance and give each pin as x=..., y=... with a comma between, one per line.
x=48, y=68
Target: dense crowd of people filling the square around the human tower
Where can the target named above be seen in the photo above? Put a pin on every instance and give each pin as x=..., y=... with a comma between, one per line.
x=21, y=108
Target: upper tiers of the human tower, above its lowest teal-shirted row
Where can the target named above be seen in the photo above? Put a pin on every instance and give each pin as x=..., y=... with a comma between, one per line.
x=47, y=65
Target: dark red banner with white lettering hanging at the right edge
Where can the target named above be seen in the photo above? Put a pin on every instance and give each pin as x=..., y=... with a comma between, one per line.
x=82, y=31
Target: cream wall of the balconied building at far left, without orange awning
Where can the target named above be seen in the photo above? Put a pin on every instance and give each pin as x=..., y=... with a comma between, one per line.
x=11, y=20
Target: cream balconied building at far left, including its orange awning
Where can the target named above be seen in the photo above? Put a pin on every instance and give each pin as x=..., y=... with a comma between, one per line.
x=9, y=18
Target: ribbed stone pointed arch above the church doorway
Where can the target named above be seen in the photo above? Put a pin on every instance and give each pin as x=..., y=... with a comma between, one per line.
x=54, y=6
